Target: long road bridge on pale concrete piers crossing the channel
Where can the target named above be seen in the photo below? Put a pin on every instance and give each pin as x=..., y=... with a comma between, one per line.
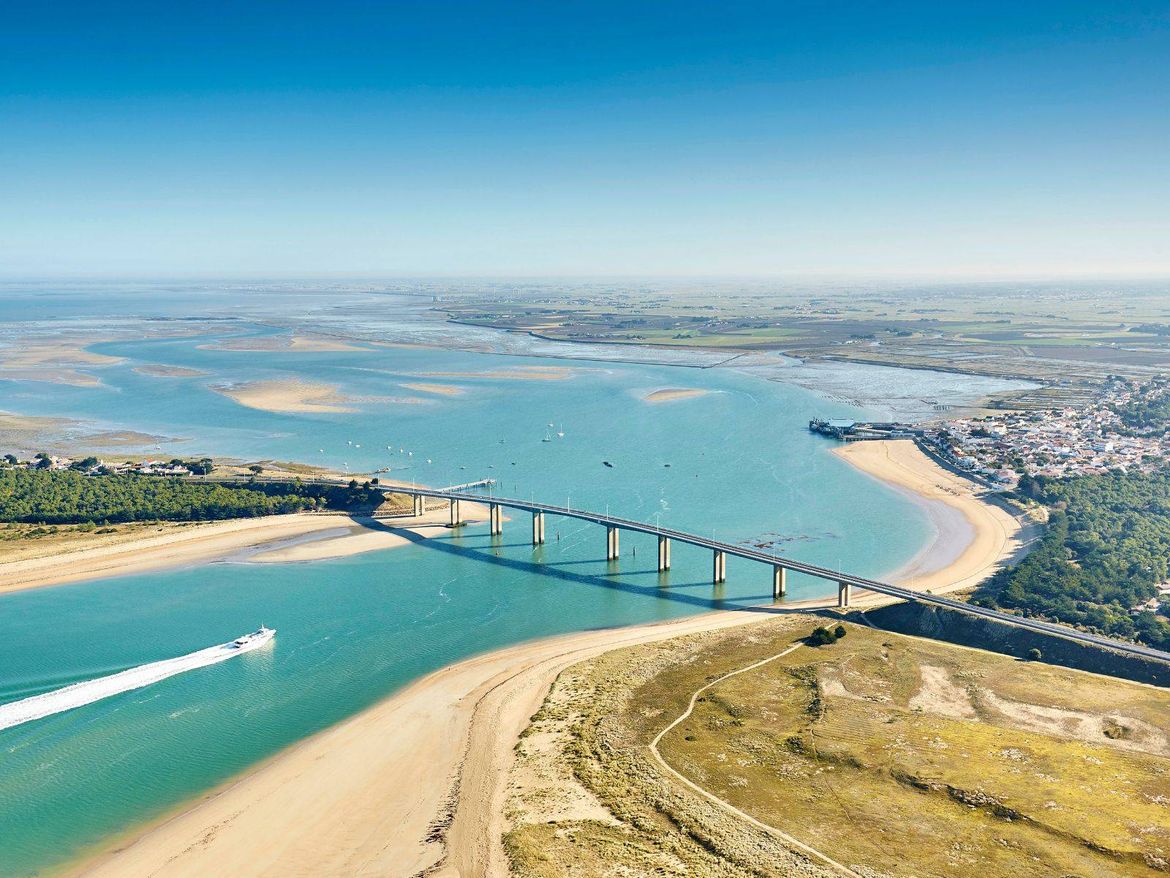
x=845, y=584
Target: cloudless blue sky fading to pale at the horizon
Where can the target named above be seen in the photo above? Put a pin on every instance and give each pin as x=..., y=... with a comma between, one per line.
x=566, y=139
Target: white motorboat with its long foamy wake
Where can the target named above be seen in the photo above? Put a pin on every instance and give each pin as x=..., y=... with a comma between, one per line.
x=84, y=694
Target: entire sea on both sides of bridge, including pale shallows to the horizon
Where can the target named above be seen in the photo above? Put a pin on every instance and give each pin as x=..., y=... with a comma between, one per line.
x=737, y=463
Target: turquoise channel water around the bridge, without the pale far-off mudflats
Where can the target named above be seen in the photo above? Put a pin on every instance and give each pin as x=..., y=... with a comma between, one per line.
x=350, y=632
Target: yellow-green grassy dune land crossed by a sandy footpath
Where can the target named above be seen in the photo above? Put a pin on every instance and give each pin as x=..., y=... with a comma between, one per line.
x=893, y=756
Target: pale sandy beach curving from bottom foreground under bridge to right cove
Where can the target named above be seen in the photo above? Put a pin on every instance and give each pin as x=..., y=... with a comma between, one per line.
x=417, y=784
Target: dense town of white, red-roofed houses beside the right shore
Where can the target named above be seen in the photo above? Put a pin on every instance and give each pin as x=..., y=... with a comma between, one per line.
x=1071, y=442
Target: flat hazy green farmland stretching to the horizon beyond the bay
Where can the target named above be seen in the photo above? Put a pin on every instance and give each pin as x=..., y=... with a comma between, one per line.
x=1052, y=334
